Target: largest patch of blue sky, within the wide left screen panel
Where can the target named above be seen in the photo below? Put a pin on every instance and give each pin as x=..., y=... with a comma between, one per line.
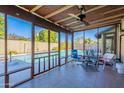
x=18, y=26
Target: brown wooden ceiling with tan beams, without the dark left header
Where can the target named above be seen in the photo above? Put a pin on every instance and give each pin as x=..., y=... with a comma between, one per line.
x=96, y=15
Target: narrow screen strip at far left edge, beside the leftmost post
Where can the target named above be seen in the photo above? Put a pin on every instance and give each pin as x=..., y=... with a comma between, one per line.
x=2, y=48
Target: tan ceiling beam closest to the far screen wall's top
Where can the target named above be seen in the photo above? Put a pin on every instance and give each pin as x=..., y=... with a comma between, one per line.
x=110, y=22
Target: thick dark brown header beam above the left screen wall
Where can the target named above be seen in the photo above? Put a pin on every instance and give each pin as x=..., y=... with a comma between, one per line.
x=17, y=12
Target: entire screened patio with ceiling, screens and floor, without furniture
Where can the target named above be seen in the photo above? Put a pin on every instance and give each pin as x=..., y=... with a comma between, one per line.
x=36, y=44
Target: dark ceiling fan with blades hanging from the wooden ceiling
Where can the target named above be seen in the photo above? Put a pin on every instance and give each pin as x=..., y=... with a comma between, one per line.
x=81, y=16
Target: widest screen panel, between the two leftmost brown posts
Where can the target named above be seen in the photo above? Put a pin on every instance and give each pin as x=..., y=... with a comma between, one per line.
x=19, y=38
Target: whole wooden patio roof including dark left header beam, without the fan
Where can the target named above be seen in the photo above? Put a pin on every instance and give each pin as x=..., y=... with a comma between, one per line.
x=55, y=17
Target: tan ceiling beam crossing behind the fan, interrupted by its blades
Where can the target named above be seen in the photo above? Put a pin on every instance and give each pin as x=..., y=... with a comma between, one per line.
x=90, y=10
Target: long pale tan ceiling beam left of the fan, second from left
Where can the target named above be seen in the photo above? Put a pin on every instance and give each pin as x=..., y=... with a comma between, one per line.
x=58, y=11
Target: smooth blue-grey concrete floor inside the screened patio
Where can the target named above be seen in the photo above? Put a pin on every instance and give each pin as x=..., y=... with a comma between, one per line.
x=74, y=75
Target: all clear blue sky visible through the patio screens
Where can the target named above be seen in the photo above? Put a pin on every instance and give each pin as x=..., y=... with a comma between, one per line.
x=23, y=28
